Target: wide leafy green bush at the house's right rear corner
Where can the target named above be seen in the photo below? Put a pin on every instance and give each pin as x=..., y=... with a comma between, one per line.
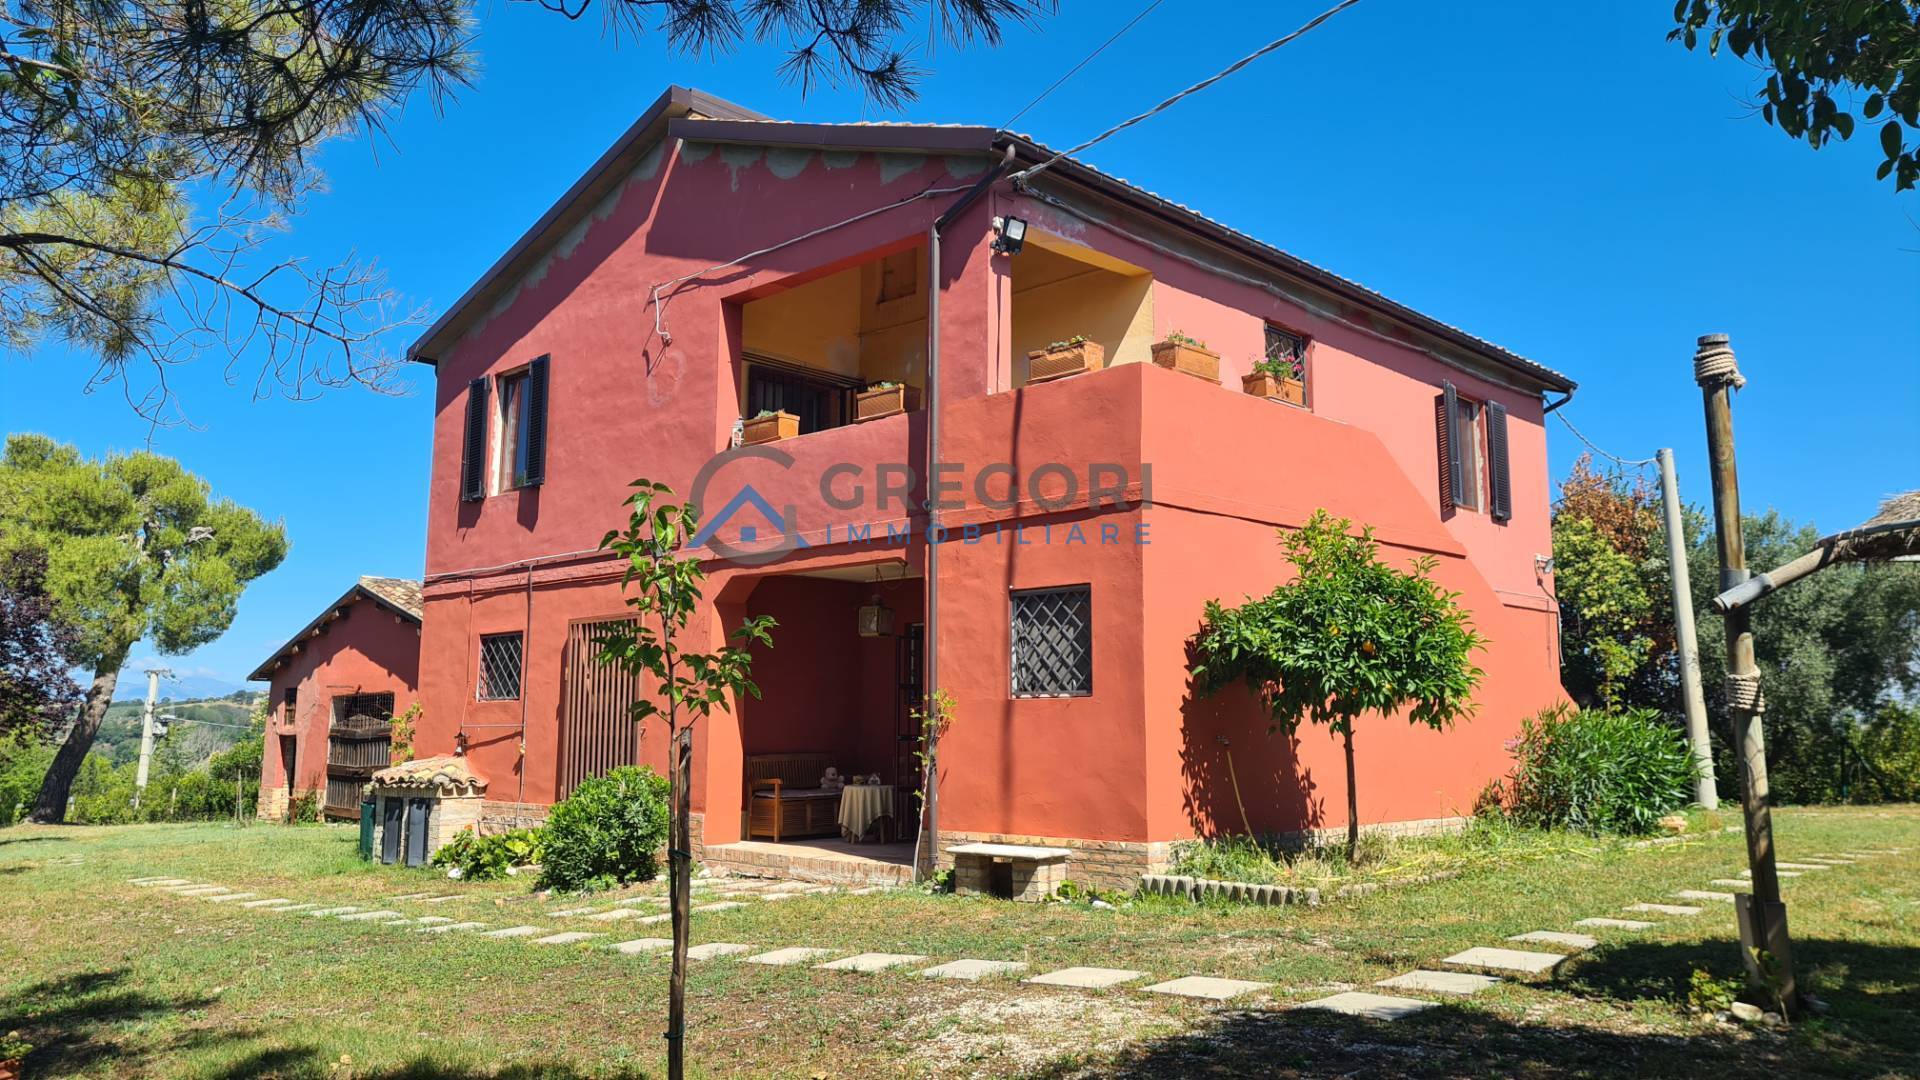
x=1596, y=772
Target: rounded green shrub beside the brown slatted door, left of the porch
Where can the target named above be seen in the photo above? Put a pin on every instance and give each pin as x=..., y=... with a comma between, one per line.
x=608, y=833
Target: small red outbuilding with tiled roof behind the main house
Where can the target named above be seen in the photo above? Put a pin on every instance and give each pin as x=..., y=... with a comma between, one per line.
x=331, y=695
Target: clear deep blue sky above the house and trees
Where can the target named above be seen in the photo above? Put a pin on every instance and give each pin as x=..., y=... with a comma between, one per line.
x=1554, y=178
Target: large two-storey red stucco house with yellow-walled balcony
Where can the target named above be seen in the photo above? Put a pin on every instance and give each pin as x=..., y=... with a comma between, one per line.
x=715, y=266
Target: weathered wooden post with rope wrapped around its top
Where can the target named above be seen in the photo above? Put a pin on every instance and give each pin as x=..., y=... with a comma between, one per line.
x=1764, y=920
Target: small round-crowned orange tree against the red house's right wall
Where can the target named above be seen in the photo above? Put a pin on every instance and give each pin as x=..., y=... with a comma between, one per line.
x=1351, y=635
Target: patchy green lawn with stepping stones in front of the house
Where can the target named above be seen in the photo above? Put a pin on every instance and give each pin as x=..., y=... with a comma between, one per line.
x=118, y=981
